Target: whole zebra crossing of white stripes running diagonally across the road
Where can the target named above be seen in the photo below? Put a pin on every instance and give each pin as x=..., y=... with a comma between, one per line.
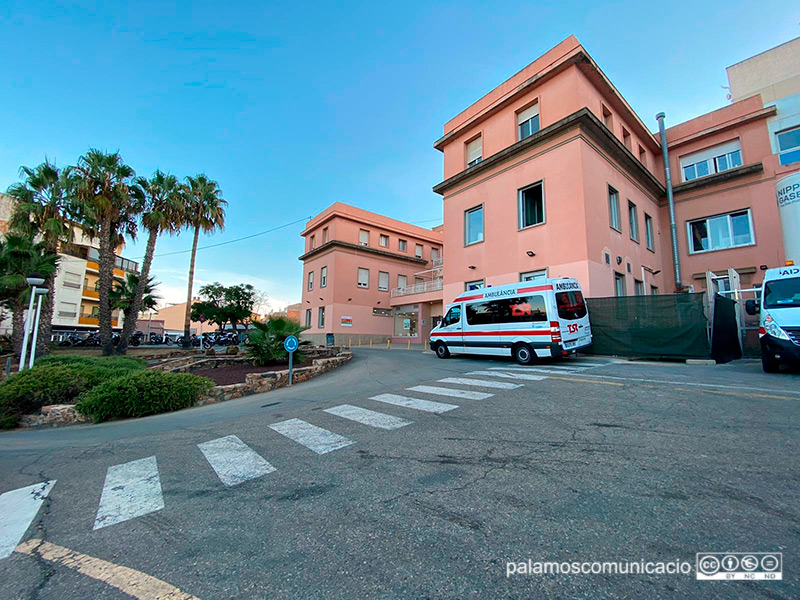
x=133, y=489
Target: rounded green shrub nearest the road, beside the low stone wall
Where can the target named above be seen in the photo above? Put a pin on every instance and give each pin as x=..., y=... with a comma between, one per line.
x=142, y=393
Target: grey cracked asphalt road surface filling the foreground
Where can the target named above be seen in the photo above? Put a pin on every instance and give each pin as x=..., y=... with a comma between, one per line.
x=597, y=461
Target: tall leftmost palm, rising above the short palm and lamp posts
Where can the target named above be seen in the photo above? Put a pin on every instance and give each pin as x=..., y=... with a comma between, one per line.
x=43, y=208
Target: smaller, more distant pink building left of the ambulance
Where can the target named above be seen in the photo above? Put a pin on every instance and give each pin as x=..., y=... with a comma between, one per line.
x=368, y=277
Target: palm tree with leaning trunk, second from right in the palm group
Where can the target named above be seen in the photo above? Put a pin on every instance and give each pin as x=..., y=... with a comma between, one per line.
x=163, y=201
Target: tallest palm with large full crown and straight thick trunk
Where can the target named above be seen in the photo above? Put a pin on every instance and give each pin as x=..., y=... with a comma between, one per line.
x=107, y=204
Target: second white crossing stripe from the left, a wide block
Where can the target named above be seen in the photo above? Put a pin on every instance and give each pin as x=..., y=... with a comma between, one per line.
x=131, y=490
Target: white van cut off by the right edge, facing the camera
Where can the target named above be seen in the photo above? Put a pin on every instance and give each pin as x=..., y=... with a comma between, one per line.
x=779, y=324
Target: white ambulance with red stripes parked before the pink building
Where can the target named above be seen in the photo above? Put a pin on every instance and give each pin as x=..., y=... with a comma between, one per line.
x=526, y=320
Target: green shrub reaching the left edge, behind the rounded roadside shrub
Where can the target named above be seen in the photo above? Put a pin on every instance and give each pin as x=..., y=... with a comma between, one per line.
x=57, y=380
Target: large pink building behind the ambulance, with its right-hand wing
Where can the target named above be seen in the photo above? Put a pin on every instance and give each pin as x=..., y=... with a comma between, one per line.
x=553, y=174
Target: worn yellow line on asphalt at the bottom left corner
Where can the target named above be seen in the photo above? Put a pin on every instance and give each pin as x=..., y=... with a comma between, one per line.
x=130, y=581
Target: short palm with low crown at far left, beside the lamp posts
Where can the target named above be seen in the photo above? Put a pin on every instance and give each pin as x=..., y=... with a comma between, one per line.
x=19, y=257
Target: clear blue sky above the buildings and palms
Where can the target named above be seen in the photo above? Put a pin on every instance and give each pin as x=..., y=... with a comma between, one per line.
x=292, y=106
